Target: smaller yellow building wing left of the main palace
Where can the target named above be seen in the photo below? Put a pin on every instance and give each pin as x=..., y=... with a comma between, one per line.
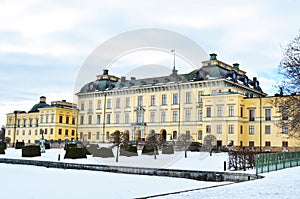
x=57, y=121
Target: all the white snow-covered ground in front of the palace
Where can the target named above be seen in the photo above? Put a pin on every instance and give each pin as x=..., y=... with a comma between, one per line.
x=28, y=182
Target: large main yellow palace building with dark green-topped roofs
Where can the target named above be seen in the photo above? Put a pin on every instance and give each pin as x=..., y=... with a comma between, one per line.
x=216, y=99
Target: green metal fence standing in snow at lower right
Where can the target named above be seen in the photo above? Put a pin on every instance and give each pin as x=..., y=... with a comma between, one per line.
x=274, y=161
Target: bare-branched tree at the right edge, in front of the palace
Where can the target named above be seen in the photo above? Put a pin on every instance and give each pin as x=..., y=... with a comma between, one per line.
x=290, y=87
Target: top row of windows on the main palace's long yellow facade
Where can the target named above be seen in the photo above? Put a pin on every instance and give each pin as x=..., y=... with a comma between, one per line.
x=153, y=102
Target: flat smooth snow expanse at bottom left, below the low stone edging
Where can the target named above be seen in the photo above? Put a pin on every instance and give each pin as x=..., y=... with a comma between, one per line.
x=30, y=182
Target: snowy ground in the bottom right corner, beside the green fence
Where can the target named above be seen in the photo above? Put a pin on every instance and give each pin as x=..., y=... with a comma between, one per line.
x=277, y=184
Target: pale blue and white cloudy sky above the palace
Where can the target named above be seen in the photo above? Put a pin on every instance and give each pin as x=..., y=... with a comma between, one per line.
x=43, y=44
